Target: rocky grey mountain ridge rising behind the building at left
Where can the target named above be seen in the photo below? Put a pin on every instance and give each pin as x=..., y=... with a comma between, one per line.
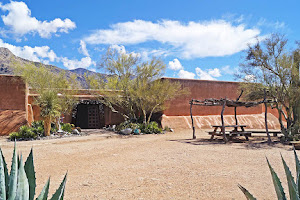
x=7, y=58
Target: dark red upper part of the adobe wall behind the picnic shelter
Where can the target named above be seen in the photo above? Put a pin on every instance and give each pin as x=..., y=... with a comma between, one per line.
x=202, y=89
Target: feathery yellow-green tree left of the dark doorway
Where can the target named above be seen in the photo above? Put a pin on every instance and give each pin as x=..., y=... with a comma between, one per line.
x=54, y=96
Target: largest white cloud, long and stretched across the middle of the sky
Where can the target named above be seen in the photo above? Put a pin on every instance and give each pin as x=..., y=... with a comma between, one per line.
x=194, y=39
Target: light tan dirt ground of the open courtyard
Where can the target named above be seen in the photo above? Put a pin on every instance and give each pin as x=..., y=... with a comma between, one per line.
x=170, y=166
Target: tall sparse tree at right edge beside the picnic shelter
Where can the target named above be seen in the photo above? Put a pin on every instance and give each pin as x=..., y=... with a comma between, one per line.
x=270, y=66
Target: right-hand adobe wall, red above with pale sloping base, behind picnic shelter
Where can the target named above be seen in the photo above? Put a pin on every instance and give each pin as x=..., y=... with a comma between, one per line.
x=177, y=114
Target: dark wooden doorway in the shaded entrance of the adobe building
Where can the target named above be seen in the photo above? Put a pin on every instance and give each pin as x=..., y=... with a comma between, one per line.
x=90, y=116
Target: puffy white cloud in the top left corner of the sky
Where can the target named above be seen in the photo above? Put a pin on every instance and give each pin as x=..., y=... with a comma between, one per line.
x=21, y=22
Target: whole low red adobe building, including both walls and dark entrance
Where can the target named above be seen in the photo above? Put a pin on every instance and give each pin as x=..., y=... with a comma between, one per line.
x=17, y=107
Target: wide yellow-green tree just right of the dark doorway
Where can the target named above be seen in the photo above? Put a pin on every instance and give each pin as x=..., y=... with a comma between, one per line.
x=133, y=87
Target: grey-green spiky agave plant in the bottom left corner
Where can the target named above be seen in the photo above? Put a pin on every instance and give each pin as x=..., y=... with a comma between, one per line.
x=21, y=182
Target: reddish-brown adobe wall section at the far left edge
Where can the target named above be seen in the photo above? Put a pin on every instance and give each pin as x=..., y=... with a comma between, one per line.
x=13, y=103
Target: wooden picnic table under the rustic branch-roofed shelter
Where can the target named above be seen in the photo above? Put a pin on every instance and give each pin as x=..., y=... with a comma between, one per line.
x=235, y=130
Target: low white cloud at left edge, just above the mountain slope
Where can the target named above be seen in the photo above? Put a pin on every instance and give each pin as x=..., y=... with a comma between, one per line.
x=37, y=54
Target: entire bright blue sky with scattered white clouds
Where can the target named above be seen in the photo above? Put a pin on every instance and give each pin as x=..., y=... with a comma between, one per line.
x=196, y=39
